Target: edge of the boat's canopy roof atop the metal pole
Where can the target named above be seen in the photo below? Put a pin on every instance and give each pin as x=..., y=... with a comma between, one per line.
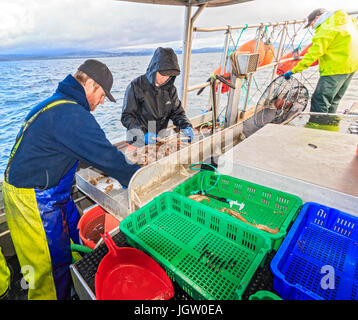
x=209, y=3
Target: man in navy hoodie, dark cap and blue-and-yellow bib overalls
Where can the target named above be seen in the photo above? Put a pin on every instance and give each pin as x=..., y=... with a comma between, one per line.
x=56, y=134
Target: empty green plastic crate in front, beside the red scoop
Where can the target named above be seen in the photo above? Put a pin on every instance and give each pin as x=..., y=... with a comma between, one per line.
x=177, y=232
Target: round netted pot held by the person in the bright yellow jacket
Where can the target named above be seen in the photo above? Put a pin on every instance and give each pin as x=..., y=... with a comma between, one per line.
x=280, y=101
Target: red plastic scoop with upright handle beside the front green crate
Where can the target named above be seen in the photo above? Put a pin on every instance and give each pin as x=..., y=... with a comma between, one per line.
x=127, y=273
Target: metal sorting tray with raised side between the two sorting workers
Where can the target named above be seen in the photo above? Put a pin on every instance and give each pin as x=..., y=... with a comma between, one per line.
x=156, y=177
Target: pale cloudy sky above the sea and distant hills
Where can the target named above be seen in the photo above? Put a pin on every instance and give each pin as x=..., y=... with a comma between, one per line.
x=30, y=26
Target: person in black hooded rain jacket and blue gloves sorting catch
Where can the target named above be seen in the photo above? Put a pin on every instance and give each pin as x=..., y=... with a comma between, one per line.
x=151, y=100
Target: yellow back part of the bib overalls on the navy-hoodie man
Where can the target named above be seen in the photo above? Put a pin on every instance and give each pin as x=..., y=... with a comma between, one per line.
x=25, y=223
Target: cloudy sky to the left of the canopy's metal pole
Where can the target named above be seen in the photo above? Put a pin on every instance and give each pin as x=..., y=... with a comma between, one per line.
x=84, y=24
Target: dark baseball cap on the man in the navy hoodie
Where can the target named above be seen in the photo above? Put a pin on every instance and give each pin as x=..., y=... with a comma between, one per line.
x=100, y=73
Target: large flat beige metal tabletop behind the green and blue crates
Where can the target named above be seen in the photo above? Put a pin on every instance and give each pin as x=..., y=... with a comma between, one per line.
x=316, y=165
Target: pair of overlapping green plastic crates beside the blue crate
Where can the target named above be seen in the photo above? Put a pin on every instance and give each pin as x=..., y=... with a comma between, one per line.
x=209, y=253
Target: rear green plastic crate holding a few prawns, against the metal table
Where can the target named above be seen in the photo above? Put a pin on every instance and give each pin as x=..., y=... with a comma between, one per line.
x=262, y=205
